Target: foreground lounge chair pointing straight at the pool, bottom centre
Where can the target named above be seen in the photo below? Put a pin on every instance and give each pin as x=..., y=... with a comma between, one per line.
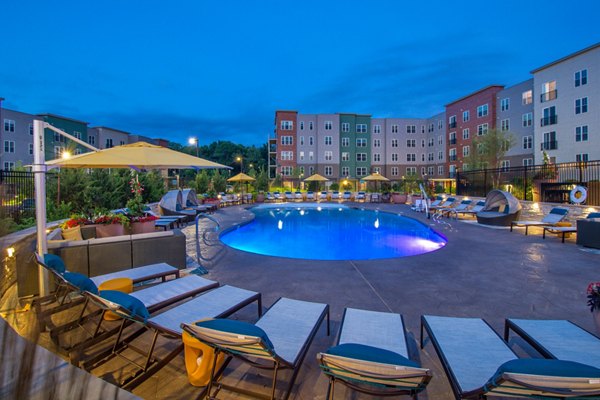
x=371, y=356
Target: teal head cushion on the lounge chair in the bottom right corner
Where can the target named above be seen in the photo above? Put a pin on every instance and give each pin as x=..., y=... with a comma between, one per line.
x=548, y=368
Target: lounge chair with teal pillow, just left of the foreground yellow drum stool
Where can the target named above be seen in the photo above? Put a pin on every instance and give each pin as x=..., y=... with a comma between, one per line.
x=220, y=302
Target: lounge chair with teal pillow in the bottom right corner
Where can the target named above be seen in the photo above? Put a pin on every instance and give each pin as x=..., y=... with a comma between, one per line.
x=479, y=363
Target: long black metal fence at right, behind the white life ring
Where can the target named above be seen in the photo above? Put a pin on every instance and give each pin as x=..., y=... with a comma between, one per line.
x=548, y=183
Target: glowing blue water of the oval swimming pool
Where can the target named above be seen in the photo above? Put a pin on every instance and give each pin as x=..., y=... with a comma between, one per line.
x=331, y=232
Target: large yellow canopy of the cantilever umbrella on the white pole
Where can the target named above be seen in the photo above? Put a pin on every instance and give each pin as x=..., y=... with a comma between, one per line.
x=137, y=156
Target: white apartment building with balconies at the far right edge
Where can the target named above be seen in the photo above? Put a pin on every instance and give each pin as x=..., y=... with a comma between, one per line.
x=567, y=120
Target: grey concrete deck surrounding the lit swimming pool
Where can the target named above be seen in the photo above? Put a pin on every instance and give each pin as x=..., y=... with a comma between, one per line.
x=482, y=272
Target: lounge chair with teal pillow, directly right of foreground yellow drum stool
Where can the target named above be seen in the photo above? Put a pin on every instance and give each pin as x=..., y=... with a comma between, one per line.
x=280, y=339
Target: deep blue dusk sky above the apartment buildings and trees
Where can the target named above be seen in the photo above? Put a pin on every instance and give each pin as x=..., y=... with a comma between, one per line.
x=219, y=70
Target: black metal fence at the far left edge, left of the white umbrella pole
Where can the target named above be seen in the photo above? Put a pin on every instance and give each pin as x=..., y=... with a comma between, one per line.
x=17, y=195
